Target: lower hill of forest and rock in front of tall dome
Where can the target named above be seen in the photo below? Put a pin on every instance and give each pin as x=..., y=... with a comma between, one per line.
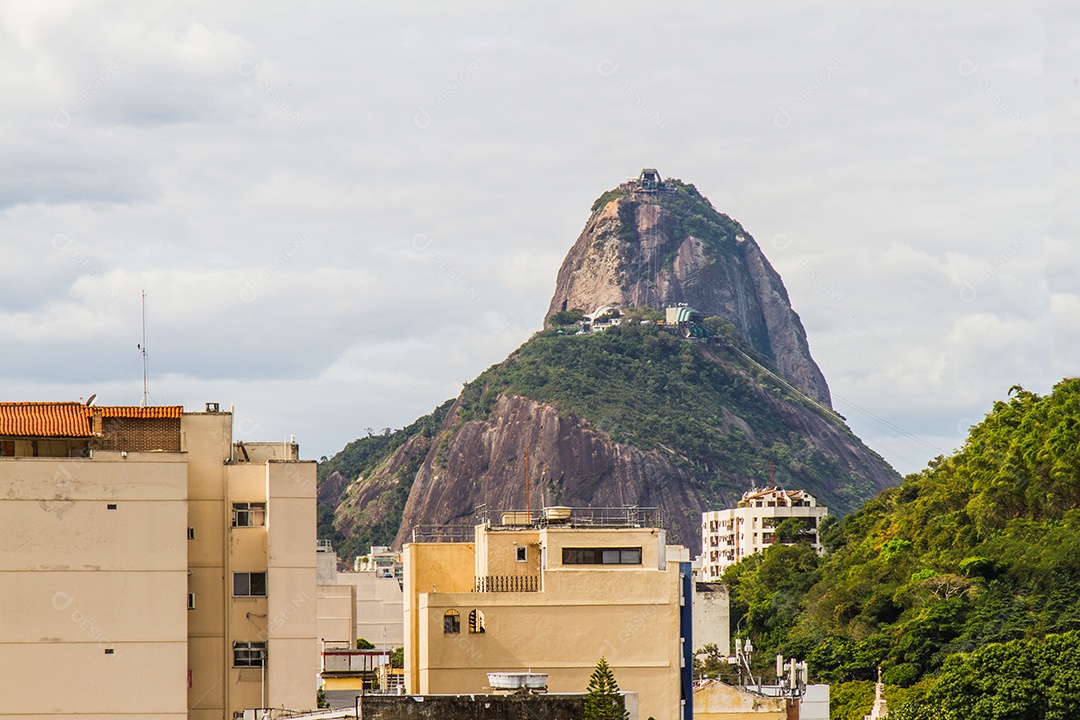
x=633, y=415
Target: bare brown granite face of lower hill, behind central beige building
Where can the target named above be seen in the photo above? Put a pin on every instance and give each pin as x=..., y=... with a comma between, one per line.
x=571, y=464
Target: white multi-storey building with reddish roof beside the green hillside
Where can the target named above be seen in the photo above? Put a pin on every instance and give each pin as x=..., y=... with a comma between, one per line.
x=728, y=536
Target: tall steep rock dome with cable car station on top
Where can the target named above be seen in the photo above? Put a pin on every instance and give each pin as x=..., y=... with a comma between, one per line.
x=660, y=248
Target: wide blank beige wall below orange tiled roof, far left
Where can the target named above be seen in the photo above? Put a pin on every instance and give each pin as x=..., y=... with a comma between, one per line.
x=94, y=595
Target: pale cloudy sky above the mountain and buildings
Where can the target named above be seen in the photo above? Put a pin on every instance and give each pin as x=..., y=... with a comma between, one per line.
x=341, y=212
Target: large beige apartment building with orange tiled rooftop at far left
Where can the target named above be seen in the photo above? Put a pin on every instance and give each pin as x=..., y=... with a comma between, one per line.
x=151, y=567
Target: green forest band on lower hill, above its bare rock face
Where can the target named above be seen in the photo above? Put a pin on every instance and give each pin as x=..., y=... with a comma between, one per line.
x=647, y=388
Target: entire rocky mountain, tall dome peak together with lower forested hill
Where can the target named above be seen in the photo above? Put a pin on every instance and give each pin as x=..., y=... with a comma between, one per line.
x=633, y=415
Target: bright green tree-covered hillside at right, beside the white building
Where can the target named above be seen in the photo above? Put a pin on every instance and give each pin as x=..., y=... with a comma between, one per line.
x=982, y=548
